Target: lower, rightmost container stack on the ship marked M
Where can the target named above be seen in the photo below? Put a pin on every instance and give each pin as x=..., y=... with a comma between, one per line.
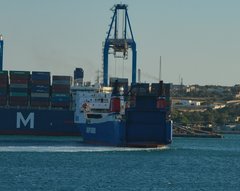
x=61, y=91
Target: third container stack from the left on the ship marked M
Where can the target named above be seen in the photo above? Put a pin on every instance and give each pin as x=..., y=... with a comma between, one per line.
x=40, y=89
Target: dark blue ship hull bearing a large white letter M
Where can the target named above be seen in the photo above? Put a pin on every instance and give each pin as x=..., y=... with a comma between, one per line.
x=37, y=122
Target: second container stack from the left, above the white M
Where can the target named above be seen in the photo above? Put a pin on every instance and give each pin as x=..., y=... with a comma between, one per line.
x=19, y=88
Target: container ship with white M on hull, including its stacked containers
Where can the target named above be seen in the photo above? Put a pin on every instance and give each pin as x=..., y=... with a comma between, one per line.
x=30, y=105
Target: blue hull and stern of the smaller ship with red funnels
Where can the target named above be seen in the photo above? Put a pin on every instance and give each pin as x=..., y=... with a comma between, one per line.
x=138, y=129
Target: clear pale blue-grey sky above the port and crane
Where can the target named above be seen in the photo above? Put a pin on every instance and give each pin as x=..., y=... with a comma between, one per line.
x=198, y=40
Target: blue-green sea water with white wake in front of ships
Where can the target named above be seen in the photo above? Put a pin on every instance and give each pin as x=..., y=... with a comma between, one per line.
x=65, y=164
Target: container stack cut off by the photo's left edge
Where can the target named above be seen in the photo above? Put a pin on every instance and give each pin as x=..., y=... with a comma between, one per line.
x=3, y=87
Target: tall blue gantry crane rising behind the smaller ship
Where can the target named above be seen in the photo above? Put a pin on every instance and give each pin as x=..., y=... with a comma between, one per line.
x=119, y=42
